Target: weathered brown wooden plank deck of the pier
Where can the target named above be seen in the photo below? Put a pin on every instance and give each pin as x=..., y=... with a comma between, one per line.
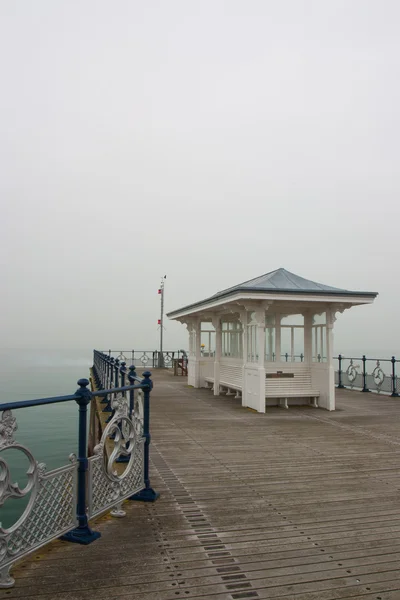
x=299, y=504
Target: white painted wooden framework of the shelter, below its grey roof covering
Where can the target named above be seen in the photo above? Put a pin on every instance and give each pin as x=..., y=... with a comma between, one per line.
x=246, y=375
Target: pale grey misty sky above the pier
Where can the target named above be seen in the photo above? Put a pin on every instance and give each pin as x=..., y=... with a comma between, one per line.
x=209, y=140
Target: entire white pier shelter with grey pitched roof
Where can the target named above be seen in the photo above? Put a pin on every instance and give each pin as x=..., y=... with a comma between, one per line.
x=268, y=340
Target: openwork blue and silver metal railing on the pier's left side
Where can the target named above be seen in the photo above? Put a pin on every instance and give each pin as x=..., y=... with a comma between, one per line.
x=109, y=382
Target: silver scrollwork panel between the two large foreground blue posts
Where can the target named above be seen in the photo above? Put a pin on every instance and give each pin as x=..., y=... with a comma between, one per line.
x=121, y=439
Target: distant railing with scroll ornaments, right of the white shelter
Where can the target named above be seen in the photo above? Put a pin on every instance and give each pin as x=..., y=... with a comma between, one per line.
x=377, y=375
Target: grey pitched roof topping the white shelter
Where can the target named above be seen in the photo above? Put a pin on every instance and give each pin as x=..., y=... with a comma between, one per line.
x=278, y=281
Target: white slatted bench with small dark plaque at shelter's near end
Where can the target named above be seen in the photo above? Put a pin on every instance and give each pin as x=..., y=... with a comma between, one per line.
x=285, y=385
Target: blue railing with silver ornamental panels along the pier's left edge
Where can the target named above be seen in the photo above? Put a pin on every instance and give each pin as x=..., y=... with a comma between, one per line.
x=61, y=502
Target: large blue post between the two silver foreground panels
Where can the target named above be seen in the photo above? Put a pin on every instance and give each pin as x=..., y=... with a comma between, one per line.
x=82, y=534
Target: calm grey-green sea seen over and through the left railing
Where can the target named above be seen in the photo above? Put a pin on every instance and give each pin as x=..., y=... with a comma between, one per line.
x=50, y=433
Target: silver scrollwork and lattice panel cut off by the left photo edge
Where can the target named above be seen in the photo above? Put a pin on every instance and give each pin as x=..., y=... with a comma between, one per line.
x=51, y=509
